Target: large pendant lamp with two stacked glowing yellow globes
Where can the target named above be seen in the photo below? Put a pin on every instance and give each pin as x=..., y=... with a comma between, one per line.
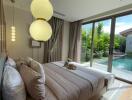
x=40, y=29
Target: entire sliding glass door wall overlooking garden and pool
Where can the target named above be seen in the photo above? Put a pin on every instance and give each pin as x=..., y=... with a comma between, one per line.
x=107, y=45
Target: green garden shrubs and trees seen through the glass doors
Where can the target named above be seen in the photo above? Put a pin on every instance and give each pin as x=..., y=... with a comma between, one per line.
x=101, y=43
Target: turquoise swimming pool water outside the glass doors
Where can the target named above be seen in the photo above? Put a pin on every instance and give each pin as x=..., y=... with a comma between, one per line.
x=124, y=62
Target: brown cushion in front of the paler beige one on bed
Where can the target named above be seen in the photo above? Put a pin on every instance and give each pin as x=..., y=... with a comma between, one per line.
x=34, y=82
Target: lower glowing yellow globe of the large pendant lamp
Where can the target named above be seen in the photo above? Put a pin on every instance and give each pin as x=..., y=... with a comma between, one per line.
x=40, y=30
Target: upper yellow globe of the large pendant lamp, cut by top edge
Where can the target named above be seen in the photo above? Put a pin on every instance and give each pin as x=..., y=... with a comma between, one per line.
x=42, y=9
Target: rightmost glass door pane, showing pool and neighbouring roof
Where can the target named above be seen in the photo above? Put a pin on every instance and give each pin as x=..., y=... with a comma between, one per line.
x=122, y=58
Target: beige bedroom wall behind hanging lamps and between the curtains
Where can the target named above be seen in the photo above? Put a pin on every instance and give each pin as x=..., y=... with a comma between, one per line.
x=21, y=48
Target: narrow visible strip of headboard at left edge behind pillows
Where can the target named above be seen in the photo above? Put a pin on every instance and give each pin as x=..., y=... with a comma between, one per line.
x=2, y=62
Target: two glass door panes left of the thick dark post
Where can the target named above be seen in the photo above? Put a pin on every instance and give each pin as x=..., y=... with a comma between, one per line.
x=95, y=44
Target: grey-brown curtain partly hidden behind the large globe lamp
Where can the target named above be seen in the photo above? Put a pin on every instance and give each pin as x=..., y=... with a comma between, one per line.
x=53, y=47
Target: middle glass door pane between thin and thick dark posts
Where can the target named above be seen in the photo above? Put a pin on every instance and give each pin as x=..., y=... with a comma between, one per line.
x=101, y=43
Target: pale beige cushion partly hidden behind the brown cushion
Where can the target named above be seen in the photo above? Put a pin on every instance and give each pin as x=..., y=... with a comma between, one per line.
x=36, y=66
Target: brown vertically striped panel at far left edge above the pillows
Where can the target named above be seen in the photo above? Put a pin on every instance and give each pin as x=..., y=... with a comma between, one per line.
x=2, y=29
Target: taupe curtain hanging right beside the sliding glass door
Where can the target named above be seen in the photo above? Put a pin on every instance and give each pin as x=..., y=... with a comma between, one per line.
x=75, y=41
